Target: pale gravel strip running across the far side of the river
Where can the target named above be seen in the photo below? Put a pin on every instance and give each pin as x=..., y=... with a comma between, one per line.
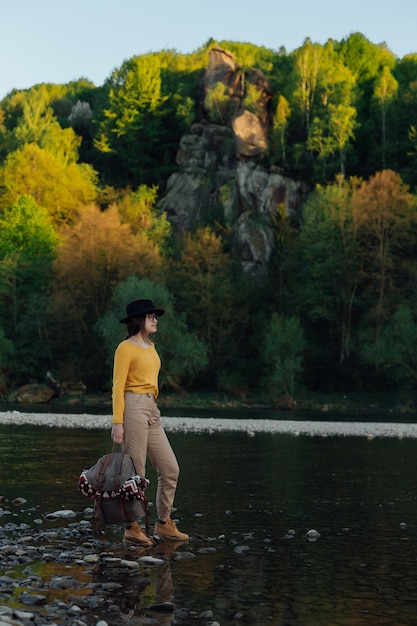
x=212, y=424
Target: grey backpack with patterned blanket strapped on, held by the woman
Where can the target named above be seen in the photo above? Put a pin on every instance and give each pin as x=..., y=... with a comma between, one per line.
x=117, y=490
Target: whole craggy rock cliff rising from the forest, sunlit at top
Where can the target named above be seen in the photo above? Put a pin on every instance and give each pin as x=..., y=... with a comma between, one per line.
x=221, y=171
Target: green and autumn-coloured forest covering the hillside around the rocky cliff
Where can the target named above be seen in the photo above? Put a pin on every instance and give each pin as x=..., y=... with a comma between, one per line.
x=83, y=167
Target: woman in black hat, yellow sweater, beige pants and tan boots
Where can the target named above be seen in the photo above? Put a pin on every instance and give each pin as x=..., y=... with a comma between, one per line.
x=137, y=419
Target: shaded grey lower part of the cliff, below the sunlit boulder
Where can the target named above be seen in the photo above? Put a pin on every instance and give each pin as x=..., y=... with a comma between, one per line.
x=251, y=197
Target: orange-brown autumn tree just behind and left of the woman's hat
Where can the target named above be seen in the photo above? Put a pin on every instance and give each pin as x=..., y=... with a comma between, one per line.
x=96, y=254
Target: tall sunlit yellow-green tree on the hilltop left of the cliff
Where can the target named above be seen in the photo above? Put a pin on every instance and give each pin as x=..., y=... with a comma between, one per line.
x=139, y=122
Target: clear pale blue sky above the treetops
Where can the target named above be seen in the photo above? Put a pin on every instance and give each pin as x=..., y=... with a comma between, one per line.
x=52, y=41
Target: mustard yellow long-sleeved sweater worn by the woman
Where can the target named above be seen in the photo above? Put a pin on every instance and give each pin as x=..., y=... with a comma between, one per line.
x=135, y=369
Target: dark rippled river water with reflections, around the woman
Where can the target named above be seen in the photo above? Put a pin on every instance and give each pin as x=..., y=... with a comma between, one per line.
x=239, y=497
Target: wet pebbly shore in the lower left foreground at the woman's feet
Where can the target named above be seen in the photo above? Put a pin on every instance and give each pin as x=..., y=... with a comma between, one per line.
x=94, y=583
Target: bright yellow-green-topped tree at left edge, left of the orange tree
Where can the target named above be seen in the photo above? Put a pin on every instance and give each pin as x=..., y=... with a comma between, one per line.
x=28, y=242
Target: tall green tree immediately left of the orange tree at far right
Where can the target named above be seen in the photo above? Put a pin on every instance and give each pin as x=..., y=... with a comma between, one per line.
x=329, y=266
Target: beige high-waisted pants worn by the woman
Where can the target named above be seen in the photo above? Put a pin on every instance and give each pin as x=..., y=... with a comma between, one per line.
x=144, y=436
